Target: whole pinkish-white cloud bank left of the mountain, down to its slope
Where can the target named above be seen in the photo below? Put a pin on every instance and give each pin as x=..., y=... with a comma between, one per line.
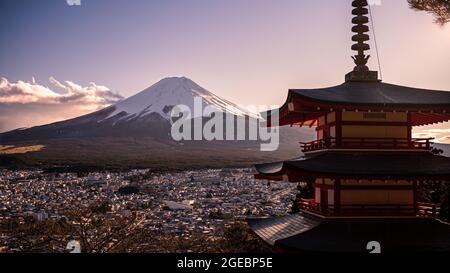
x=27, y=104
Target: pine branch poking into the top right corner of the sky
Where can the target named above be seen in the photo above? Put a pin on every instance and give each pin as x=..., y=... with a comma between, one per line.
x=439, y=8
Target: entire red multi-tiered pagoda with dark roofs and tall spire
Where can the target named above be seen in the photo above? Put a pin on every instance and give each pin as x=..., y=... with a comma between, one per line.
x=365, y=166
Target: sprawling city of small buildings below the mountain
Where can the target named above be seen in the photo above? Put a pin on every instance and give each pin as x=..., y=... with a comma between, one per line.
x=175, y=204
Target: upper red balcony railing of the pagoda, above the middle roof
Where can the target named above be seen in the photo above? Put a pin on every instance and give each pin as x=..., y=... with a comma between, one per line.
x=368, y=143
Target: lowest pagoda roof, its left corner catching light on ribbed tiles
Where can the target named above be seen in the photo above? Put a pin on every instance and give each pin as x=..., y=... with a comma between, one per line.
x=307, y=233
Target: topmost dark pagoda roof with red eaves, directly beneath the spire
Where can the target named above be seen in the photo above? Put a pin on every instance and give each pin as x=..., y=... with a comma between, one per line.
x=305, y=106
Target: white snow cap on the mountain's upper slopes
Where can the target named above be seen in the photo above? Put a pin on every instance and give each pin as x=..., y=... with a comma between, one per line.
x=161, y=97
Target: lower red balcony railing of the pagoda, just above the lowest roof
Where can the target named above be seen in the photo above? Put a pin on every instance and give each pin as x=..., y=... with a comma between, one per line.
x=421, y=209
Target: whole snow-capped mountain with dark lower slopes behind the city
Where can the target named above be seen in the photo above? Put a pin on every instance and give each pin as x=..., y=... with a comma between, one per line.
x=137, y=131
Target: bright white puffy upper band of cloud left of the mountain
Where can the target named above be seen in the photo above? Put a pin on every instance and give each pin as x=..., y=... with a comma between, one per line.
x=92, y=96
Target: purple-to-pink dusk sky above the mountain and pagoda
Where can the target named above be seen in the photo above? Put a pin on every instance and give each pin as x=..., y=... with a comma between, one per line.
x=247, y=51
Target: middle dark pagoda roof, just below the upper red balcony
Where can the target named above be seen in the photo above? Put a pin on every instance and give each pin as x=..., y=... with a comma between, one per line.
x=362, y=164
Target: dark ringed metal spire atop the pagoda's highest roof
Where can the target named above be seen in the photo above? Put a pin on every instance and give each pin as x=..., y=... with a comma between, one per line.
x=360, y=20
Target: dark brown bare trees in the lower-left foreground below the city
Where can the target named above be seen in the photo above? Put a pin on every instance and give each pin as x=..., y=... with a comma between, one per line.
x=97, y=232
